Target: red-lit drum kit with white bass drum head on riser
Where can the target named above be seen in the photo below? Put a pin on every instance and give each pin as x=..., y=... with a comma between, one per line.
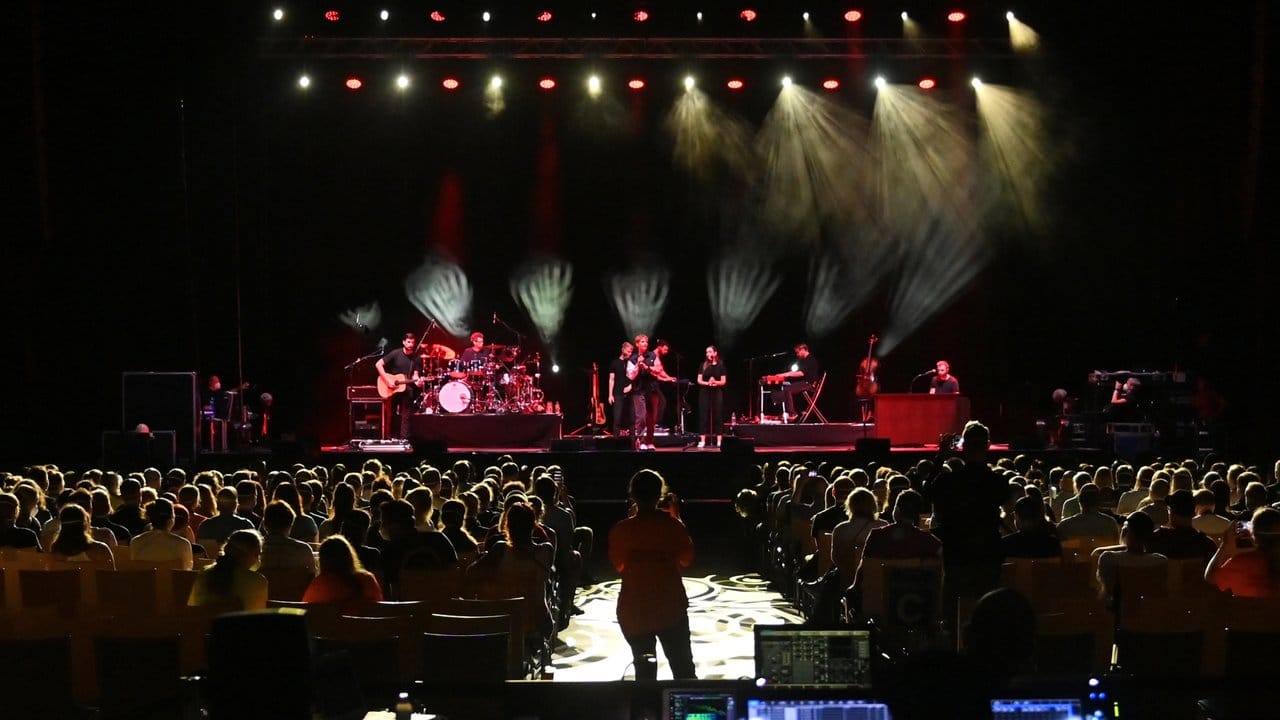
x=501, y=384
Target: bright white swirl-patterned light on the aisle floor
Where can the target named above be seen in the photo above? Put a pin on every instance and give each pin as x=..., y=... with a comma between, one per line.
x=723, y=614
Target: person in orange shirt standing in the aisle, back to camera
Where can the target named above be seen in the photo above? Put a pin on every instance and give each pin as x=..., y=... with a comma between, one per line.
x=650, y=549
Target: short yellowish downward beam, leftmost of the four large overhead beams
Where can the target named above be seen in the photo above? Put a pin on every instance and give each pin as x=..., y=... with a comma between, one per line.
x=708, y=142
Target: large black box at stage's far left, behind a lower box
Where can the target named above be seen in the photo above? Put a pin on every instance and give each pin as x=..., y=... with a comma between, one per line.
x=163, y=402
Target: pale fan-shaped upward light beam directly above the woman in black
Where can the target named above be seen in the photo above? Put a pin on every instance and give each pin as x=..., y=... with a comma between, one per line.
x=739, y=286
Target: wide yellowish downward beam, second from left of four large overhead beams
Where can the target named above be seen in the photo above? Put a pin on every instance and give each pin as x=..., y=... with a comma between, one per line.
x=816, y=166
